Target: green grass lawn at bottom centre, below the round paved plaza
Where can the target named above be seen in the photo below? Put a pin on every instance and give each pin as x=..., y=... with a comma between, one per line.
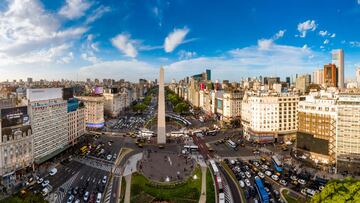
x=142, y=190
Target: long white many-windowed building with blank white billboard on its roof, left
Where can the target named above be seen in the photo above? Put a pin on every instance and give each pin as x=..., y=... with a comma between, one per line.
x=48, y=115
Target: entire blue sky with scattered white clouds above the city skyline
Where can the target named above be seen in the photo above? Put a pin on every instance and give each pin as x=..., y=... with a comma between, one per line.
x=78, y=39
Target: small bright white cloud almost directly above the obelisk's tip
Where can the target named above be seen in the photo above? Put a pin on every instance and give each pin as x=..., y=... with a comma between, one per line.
x=174, y=39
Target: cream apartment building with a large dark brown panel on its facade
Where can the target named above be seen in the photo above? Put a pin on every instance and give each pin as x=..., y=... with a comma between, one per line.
x=317, y=127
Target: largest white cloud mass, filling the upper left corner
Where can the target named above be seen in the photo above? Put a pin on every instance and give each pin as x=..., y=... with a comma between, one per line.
x=29, y=33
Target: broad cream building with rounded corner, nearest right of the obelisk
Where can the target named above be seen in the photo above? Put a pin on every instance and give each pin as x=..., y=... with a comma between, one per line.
x=269, y=117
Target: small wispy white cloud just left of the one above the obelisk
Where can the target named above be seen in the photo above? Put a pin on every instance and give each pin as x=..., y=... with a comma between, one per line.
x=125, y=45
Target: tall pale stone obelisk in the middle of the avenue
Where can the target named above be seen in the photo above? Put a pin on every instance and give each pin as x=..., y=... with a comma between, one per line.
x=161, y=136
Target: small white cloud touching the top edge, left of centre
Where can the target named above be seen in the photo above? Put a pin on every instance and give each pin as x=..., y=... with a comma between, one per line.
x=74, y=9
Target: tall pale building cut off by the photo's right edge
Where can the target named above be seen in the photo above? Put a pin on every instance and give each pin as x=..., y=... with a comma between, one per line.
x=348, y=134
